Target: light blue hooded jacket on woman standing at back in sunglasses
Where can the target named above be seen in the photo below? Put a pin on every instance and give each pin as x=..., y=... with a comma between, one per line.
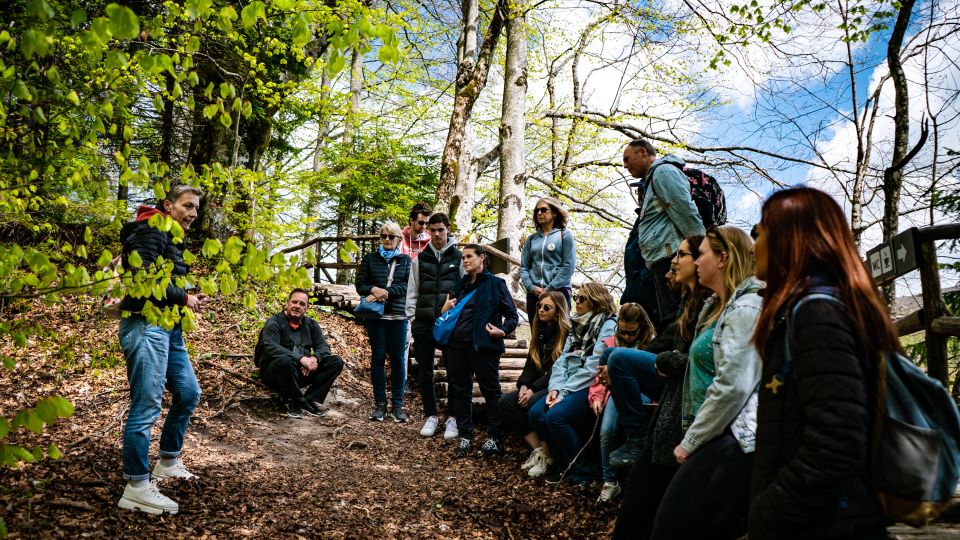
x=548, y=261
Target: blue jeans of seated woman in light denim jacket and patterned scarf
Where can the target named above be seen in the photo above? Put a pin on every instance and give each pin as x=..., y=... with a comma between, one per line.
x=563, y=427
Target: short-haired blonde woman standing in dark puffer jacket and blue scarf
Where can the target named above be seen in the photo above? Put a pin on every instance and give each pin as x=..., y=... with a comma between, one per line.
x=387, y=333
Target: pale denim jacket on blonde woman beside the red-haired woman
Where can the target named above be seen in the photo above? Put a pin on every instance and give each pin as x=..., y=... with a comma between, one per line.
x=732, y=396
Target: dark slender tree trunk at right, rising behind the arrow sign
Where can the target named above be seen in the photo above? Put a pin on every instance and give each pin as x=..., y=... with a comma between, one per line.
x=893, y=175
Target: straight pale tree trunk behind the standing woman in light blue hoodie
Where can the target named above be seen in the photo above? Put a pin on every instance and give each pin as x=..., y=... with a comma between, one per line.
x=513, y=177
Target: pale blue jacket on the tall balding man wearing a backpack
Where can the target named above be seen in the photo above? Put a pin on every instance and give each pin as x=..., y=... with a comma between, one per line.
x=667, y=213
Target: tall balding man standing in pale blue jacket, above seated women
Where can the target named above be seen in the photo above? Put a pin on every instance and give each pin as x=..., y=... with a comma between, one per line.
x=667, y=215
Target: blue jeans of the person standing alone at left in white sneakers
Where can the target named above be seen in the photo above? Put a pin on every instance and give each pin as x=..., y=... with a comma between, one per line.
x=155, y=358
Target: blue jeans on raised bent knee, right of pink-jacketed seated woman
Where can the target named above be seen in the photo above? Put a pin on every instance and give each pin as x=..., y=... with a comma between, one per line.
x=633, y=376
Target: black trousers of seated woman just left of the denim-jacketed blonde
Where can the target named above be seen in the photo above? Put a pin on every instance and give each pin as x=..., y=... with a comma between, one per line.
x=642, y=491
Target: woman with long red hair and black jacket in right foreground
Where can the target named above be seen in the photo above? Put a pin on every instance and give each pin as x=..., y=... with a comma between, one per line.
x=810, y=466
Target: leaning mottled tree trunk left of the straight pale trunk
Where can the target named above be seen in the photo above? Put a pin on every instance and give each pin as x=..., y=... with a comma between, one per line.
x=470, y=82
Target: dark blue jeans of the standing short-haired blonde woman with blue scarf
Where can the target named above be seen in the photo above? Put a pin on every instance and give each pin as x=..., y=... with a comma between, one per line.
x=388, y=337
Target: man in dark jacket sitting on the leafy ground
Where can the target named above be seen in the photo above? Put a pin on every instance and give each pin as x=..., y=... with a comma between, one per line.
x=292, y=353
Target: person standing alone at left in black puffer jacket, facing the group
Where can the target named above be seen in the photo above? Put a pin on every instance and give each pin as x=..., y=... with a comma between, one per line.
x=156, y=356
